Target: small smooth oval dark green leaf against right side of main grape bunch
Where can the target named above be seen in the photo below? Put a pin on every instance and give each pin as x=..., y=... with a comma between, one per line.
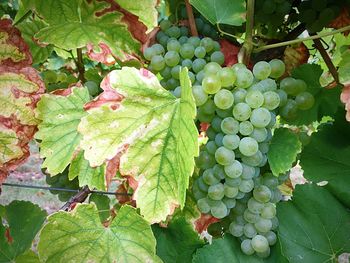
x=283, y=150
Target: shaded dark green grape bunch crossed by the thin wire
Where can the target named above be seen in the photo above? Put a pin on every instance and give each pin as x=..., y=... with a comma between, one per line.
x=62, y=181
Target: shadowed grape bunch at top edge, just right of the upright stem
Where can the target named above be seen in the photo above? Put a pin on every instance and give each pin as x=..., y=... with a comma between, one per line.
x=270, y=16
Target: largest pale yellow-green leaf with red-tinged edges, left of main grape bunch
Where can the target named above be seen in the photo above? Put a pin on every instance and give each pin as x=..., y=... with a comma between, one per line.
x=154, y=129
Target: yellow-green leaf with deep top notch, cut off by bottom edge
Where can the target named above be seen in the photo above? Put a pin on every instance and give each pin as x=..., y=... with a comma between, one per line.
x=79, y=236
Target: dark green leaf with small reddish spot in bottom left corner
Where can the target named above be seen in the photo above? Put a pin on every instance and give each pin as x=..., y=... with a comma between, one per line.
x=18, y=236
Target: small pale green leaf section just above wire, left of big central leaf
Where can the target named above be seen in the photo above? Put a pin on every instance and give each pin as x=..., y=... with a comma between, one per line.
x=90, y=176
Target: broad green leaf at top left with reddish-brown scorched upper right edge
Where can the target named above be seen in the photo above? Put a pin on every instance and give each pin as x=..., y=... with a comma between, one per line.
x=75, y=23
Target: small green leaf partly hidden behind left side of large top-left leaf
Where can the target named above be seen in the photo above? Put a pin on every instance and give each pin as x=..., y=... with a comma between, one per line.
x=29, y=29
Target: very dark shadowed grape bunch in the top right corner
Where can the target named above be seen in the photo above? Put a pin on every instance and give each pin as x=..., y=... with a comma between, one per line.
x=317, y=14
